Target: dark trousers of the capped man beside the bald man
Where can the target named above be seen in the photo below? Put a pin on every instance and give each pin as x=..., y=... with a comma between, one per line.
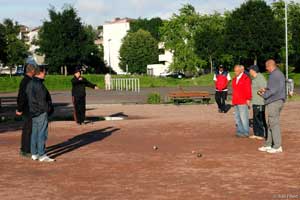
x=259, y=121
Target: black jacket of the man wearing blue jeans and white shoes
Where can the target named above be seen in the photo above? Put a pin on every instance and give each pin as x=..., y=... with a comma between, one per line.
x=39, y=99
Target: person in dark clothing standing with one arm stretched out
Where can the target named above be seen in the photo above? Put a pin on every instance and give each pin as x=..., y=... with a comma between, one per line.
x=79, y=84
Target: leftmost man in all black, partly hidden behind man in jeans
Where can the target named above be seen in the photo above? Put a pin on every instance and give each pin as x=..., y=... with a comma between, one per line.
x=22, y=109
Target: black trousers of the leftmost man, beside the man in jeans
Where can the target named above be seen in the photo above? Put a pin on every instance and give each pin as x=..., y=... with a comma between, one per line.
x=26, y=134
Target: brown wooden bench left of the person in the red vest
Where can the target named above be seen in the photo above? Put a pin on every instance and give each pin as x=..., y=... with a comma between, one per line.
x=182, y=96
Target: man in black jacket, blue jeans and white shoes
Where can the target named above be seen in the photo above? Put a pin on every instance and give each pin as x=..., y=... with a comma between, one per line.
x=40, y=105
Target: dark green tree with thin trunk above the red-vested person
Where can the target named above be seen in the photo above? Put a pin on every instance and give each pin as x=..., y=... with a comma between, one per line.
x=209, y=38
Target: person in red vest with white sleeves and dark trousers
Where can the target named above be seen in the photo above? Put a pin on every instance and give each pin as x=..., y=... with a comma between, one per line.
x=221, y=78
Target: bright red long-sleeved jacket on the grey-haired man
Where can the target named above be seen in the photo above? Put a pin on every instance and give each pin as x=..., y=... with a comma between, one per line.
x=241, y=92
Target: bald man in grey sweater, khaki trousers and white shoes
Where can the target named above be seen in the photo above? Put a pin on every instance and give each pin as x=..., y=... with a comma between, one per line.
x=274, y=96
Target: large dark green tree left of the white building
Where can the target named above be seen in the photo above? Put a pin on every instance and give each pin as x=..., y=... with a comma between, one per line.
x=65, y=41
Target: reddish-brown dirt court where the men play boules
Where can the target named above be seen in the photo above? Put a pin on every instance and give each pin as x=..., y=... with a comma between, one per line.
x=115, y=160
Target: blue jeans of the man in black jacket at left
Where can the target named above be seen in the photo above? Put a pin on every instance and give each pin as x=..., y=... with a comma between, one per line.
x=39, y=134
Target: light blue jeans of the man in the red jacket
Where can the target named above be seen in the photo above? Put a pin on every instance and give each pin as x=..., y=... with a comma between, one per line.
x=242, y=120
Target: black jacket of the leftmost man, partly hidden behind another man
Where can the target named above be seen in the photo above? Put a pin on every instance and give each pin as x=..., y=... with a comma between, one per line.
x=22, y=103
